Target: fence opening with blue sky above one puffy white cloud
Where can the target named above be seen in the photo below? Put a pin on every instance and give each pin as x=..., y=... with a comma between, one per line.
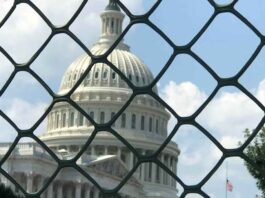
x=182, y=86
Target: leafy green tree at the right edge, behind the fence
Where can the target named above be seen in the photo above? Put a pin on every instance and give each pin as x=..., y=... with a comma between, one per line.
x=256, y=152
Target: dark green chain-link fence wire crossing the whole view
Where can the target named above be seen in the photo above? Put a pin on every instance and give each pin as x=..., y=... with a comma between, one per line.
x=186, y=49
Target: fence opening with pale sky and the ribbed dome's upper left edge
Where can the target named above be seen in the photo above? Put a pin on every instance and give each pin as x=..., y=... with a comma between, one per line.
x=57, y=56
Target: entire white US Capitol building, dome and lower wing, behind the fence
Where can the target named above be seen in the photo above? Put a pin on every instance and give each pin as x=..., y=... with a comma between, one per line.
x=107, y=160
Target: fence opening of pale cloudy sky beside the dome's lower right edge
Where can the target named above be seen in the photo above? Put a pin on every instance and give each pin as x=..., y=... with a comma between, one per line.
x=198, y=154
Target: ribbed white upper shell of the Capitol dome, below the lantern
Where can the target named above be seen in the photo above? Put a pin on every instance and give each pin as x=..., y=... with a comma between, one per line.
x=101, y=75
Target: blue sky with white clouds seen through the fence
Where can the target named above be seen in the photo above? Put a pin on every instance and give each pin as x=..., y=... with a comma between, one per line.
x=226, y=46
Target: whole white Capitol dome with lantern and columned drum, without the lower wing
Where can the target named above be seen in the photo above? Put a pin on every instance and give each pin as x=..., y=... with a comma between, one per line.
x=101, y=95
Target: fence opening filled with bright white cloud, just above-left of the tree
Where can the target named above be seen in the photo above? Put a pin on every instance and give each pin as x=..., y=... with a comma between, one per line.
x=222, y=123
